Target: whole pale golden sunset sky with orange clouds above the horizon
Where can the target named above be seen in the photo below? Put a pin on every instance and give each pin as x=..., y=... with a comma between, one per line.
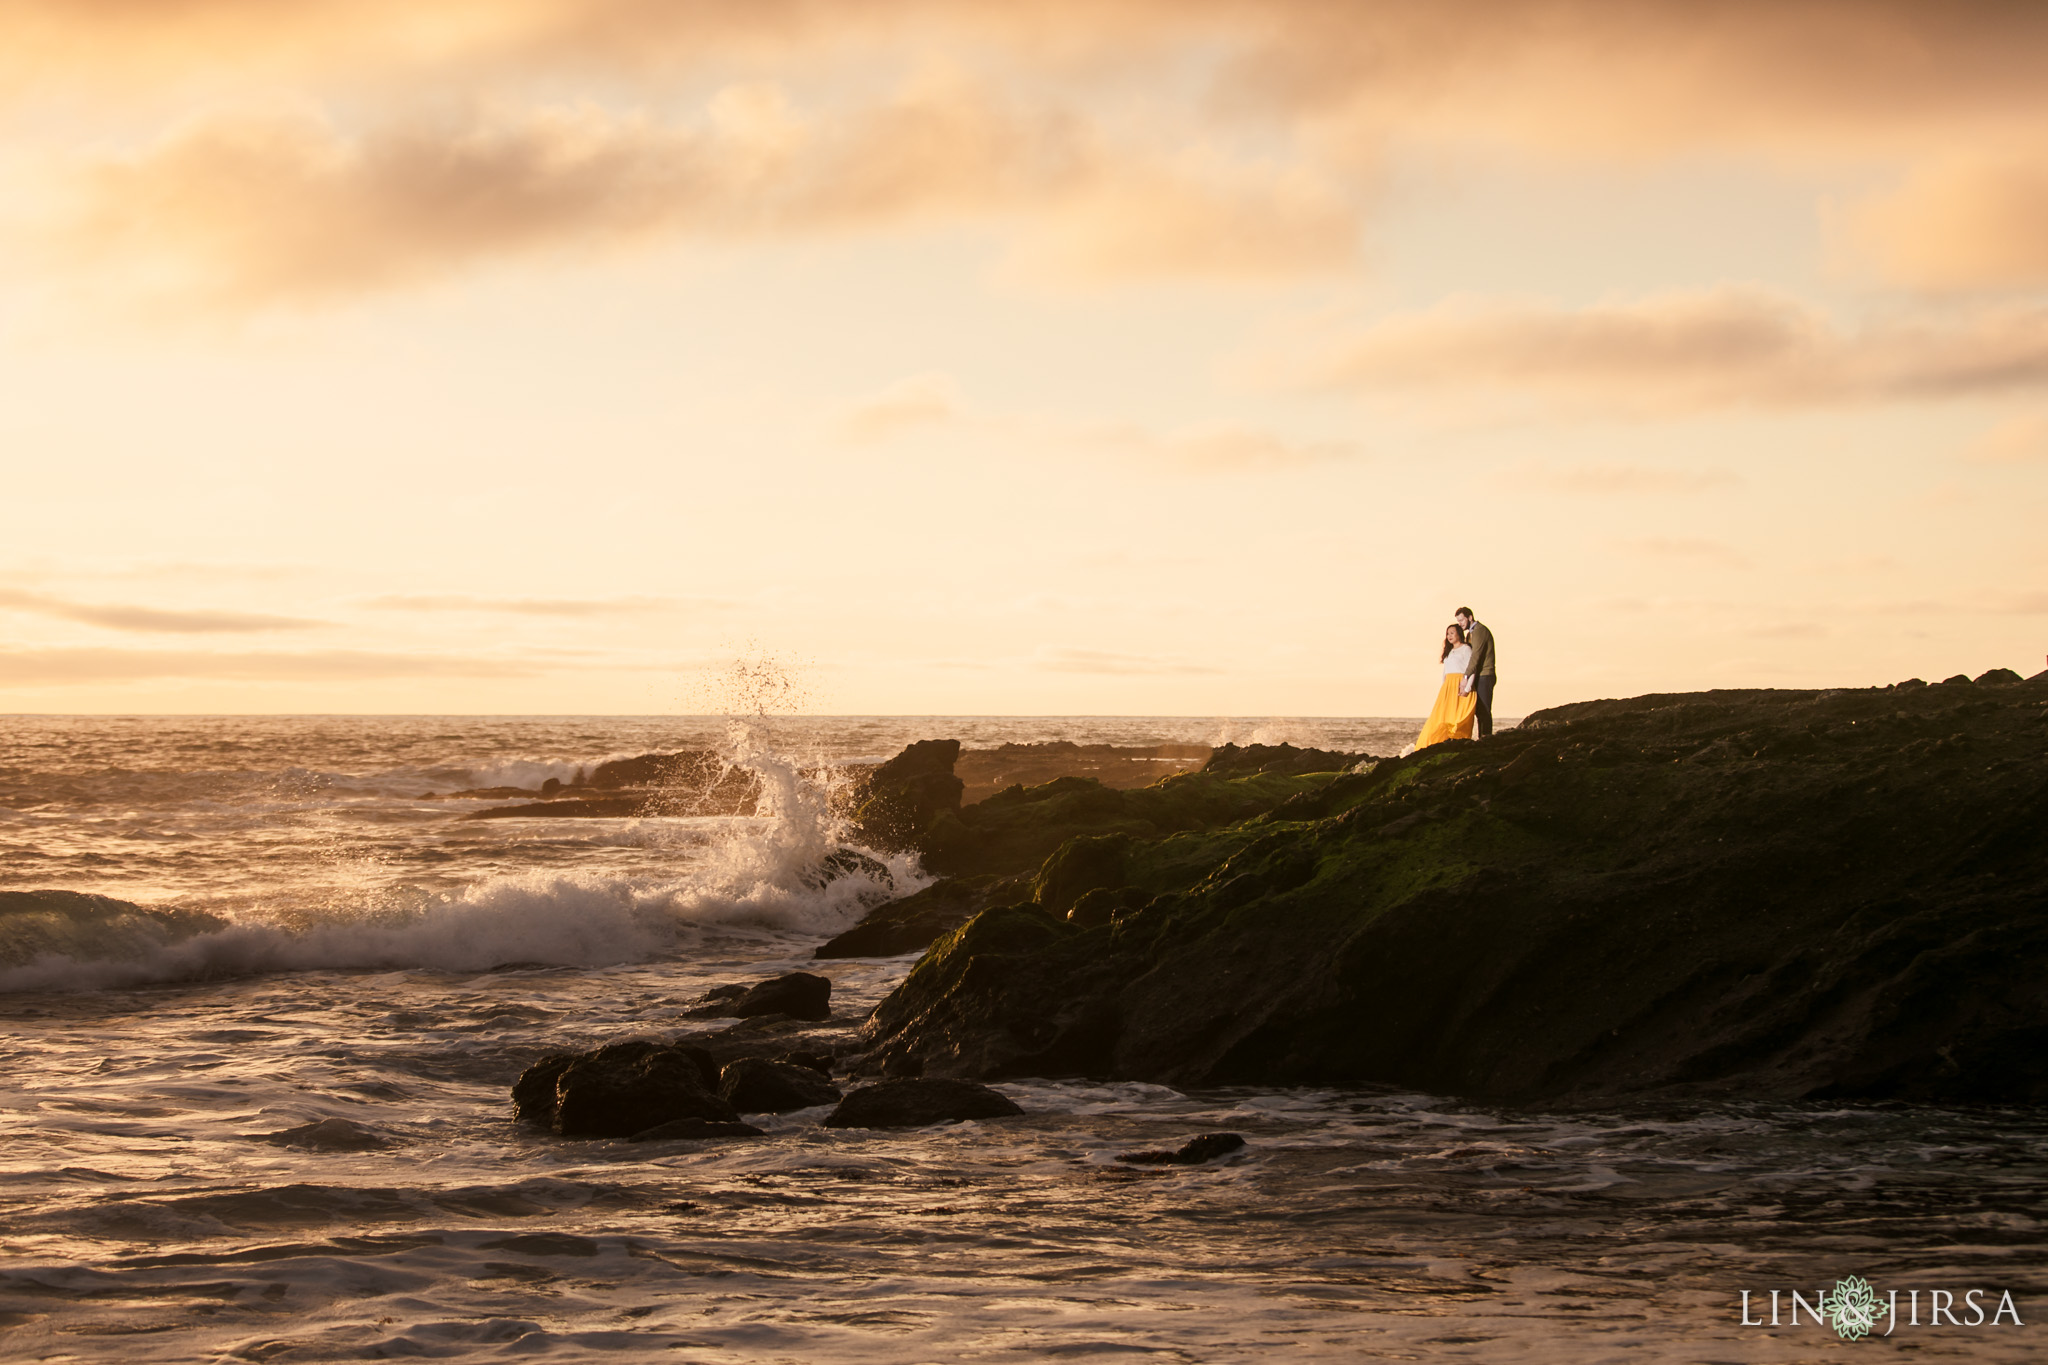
x=1062, y=357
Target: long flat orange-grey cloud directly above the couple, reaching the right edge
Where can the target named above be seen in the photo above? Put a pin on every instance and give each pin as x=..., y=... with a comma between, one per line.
x=1680, y=353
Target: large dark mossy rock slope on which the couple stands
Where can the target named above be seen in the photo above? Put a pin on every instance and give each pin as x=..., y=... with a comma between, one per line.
x=1768, y=893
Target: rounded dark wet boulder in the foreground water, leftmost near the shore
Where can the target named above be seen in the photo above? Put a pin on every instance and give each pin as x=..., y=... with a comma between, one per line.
x=620, y=1090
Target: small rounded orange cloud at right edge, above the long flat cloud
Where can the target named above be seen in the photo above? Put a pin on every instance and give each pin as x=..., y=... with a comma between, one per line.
x=1963, y=226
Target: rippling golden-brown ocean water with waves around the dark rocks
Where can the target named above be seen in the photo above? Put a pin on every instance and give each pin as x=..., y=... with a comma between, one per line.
x=372, y=957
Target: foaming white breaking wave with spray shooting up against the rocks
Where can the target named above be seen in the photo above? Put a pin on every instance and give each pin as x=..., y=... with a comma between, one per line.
x=392, y=885
